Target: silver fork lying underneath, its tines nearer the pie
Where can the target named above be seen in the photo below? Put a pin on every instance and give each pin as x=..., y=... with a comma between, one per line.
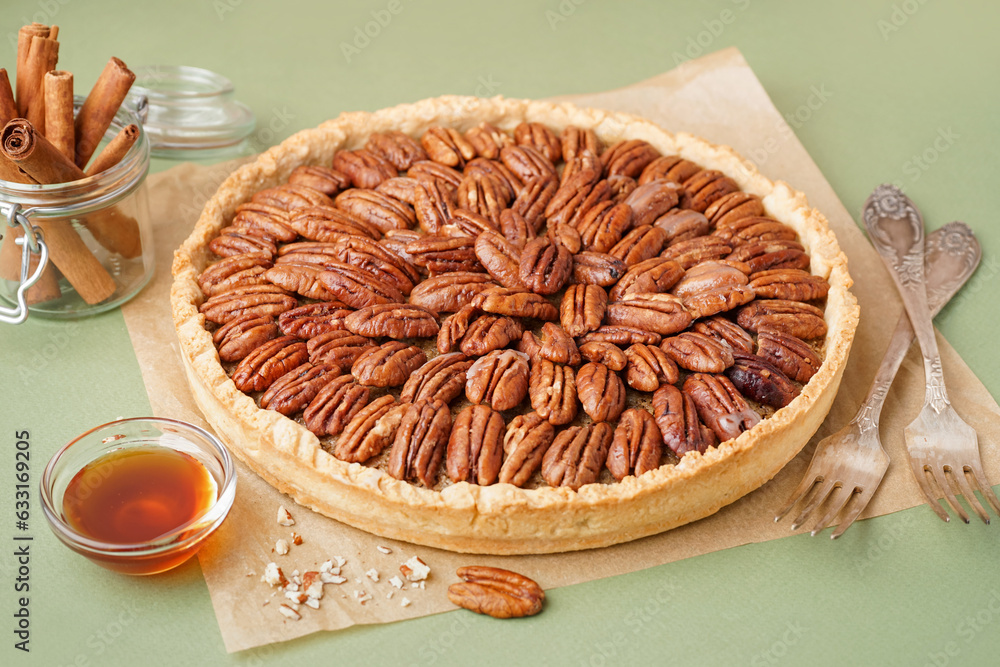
x=849, y=465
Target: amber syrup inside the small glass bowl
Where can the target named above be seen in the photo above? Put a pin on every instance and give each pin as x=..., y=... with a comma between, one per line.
x=138, y=494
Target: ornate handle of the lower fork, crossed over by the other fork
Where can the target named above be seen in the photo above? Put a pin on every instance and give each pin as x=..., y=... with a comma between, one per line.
x=957, y=241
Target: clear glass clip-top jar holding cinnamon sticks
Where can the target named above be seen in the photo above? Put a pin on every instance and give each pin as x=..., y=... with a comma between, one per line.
x=97, y=229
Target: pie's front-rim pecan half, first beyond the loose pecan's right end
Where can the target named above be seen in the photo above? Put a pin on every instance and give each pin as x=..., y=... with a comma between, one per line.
x=577, y=455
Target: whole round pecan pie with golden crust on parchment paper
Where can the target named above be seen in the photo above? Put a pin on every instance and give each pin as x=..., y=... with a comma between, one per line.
x=505, y=326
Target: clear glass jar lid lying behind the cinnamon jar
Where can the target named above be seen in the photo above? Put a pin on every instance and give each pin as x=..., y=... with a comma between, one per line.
x=188, y=109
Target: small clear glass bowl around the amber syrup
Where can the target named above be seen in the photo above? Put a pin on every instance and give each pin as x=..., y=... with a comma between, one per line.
x=169, y=549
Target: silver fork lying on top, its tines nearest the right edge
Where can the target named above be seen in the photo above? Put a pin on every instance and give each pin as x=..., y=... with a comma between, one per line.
x=943, y=449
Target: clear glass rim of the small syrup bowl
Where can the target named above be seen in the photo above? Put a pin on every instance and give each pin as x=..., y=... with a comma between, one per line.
x=165, y=543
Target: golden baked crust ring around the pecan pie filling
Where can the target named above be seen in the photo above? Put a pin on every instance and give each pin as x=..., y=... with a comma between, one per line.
x=501, y=518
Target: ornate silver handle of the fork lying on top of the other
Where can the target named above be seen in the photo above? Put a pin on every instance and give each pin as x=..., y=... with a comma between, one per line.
x=897, y=232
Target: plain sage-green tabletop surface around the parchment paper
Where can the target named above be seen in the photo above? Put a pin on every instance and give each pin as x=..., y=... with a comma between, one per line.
x=903, y=589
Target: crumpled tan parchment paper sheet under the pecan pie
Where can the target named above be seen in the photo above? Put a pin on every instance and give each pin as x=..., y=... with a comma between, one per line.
x=717, y=97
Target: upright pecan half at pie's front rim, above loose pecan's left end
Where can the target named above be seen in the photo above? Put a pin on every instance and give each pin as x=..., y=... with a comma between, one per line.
x=475, y=448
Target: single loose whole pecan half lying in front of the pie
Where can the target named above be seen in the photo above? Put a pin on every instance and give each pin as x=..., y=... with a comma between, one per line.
x=495, y=592
